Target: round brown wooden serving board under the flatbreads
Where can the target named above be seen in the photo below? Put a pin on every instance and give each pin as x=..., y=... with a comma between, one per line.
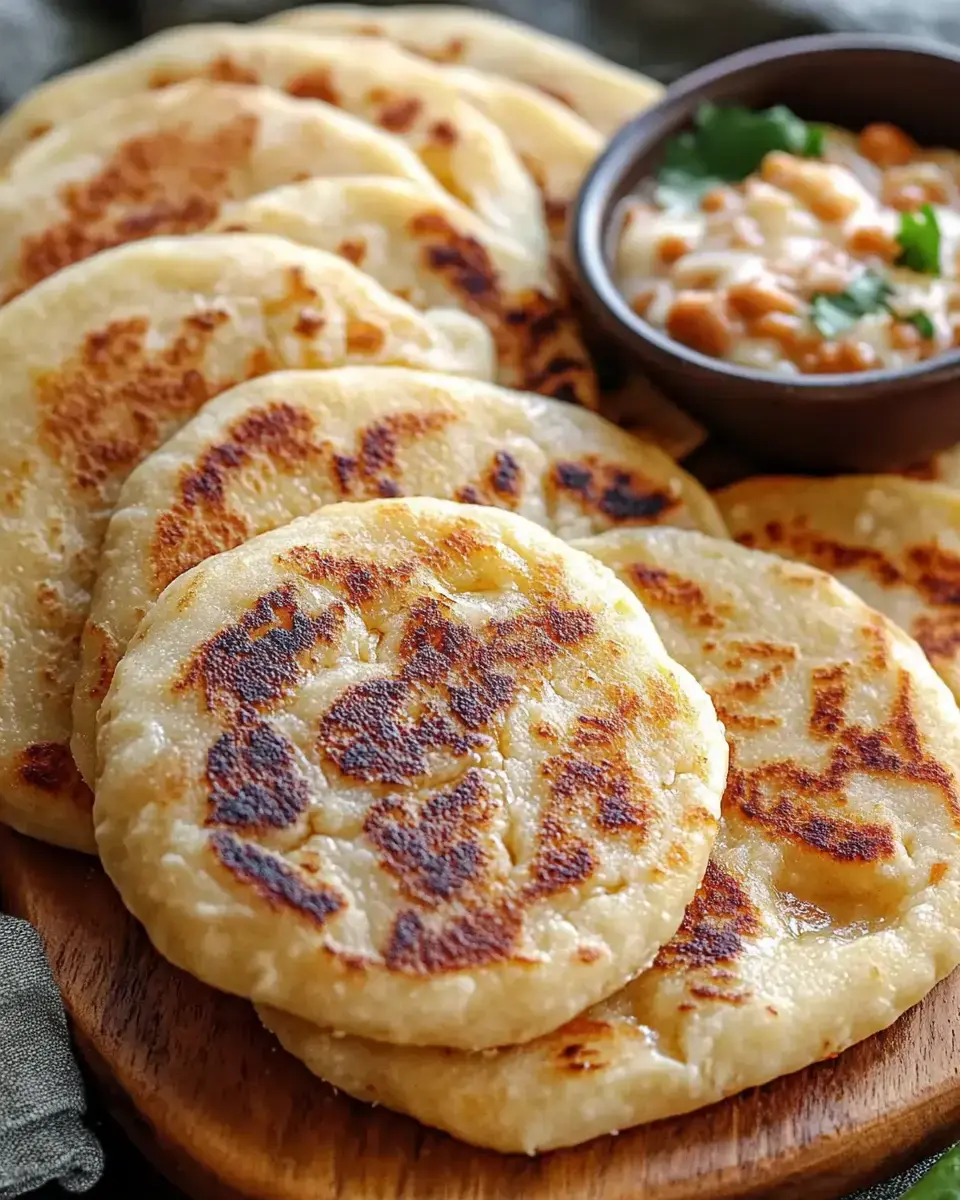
x=212, y=1100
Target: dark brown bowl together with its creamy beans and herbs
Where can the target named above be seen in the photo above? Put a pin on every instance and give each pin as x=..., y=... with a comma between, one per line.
x=777, y=244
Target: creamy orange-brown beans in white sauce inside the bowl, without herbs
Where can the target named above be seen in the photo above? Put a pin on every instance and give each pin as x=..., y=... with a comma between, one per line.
x=736, y=278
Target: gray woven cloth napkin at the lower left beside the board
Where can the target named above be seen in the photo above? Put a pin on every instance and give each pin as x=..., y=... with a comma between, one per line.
x=43, y=1136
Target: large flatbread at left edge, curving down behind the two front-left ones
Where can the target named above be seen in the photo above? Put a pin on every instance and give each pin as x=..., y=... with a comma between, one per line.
x=99, y=367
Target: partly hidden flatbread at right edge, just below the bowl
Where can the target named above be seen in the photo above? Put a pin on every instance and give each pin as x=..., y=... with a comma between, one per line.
x=895, y=542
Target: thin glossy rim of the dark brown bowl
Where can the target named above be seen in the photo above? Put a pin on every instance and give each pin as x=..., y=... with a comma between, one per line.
x=591, y=221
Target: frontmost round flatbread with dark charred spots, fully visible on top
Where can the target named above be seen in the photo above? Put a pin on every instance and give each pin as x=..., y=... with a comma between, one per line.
x=409, y=769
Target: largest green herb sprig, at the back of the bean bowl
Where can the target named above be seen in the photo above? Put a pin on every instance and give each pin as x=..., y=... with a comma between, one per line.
x=727, y=146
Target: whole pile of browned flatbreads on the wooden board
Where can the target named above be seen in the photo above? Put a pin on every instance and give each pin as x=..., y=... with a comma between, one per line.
x=399, y=691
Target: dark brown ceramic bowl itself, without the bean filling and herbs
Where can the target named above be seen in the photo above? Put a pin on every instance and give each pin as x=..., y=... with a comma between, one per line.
x=875, y=421
